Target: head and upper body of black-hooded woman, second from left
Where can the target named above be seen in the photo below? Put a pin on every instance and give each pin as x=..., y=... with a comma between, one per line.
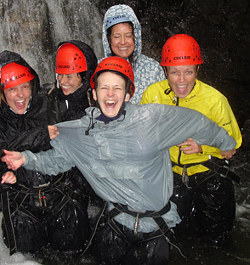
x=71, y=94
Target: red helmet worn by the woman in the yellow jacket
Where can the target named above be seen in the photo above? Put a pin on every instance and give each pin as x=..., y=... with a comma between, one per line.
x=181, y=49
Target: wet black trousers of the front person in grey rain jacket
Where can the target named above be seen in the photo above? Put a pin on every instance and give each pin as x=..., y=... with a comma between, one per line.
x=115, y=244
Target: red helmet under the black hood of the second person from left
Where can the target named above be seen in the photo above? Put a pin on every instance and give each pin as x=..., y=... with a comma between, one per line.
x=70, y=59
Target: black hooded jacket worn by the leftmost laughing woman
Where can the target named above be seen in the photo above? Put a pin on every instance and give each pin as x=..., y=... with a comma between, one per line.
x=27, y=131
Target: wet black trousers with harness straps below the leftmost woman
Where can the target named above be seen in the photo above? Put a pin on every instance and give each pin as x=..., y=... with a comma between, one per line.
x=62, y=224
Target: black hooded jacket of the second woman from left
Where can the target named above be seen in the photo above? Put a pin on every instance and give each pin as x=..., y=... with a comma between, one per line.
x=71, y=107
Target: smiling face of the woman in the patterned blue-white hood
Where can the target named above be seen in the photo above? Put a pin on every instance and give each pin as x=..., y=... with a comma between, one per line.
x=122, y=40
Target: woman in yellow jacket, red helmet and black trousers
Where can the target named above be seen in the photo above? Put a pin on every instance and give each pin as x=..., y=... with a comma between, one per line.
x=204, y=196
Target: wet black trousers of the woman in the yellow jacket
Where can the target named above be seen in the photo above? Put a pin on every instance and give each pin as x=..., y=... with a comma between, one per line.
x=206, y=205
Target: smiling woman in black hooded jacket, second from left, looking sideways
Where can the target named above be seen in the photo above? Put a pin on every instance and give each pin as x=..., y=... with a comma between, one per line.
x=69, y=96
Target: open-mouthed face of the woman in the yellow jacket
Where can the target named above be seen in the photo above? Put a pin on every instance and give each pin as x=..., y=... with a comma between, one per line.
x=181, y=79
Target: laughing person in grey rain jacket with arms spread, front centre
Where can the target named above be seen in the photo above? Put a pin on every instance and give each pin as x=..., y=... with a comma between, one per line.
x=123, y=151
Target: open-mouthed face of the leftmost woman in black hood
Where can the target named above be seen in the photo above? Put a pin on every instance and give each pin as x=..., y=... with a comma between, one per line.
x=18, y=97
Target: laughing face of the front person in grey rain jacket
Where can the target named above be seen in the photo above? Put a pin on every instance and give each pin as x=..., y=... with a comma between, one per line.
x=110, y=93
